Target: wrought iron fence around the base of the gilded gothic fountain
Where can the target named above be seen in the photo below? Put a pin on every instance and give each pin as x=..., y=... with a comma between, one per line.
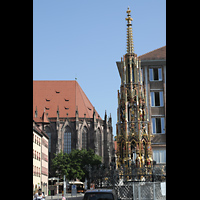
x=134, y=183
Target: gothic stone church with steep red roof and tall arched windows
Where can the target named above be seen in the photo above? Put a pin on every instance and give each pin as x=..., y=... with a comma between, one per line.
x=64, y=112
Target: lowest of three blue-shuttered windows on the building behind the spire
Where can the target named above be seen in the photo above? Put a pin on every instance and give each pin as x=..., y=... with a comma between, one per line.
x=158, y=125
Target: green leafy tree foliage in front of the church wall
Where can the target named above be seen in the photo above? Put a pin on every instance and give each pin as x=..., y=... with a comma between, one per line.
x=73, y=165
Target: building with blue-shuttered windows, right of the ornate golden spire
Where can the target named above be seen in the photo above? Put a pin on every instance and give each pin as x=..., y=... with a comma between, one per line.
x=153, y=66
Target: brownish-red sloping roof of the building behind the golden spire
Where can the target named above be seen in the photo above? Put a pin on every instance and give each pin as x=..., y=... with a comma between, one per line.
x=157, y=54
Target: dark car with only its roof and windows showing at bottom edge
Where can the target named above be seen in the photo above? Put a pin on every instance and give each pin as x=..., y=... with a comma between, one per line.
x=100, y=194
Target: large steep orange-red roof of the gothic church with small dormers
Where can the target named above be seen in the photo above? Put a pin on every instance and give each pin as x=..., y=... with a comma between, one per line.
x=65, y=96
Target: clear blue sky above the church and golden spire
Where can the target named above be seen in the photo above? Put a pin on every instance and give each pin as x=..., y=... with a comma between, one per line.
x=85, y=38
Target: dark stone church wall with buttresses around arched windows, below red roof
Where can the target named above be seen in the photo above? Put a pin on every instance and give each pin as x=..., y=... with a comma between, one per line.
x=76, y=125
